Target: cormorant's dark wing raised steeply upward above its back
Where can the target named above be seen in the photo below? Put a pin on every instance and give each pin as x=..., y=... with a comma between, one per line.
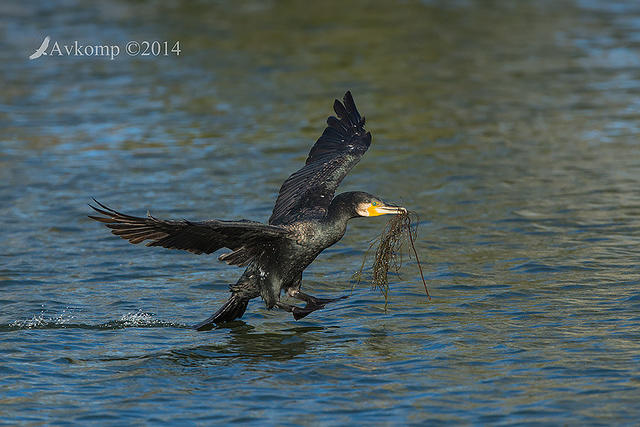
x=310, y=190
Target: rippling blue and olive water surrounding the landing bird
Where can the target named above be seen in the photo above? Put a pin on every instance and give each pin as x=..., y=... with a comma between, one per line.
x=511, y=128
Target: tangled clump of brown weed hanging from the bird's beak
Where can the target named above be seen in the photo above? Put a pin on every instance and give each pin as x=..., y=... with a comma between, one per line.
x=398, y=230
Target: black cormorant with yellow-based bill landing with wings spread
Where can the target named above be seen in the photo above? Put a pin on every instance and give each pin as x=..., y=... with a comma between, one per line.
x=306, y=220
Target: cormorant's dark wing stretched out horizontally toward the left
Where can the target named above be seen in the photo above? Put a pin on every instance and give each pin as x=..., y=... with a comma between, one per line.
x=247, y=239
